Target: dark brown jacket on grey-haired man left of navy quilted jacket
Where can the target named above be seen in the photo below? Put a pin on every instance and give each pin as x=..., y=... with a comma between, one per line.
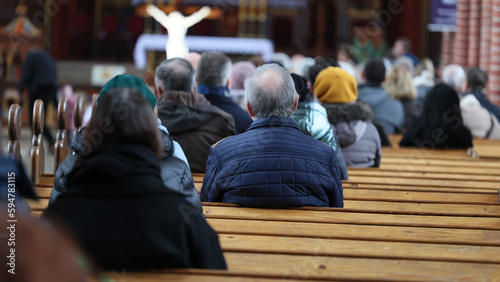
x=193, y=122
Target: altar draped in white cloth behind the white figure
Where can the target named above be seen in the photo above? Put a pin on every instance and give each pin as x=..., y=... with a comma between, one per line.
x=226, y=45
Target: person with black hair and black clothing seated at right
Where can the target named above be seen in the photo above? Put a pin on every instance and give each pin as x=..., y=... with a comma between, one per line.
x=440, y=125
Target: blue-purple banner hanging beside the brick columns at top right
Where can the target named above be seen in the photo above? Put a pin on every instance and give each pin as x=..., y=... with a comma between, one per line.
x=443, y=15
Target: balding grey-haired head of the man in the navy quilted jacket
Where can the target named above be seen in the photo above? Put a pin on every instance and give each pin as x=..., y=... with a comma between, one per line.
x=270, y=91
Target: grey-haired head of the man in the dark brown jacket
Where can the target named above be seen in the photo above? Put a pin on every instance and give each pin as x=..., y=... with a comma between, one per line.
x=175, y=74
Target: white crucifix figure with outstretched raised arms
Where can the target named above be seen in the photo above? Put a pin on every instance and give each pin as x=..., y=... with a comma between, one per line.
x=177, y=26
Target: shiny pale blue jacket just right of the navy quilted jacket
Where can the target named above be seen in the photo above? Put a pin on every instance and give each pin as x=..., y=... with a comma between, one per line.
x=312, y=120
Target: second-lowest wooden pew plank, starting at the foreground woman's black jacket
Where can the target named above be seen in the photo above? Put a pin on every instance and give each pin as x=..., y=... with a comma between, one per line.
x=358, y=248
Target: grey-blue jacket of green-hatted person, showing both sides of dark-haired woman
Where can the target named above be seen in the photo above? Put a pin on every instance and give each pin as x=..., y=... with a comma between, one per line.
x=174, y=172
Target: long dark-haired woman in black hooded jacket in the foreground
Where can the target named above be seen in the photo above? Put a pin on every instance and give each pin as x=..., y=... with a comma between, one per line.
x=116, y=203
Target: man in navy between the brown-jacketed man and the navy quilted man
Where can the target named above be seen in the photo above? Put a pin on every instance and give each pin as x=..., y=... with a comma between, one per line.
x=212, y=78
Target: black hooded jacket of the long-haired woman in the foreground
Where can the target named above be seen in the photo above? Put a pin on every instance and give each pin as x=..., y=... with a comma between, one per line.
x=125, y=218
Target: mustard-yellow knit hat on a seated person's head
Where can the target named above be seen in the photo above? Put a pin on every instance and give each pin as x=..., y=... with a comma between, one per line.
x=336, y=86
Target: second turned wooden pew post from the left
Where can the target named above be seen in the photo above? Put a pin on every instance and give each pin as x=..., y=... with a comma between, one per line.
x=37, y=156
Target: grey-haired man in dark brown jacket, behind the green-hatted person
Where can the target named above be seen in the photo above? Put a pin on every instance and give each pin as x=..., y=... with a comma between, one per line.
x=191, y=119
